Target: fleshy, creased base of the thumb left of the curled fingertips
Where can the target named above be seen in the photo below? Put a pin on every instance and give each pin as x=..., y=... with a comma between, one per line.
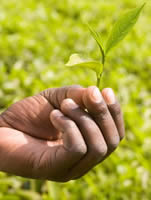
x=31, y=116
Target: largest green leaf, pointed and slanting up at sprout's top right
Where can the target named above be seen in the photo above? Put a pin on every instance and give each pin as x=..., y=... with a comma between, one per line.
x=122, y=27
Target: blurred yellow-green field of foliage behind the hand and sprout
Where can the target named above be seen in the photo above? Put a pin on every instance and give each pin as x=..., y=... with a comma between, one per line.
x=36, y=39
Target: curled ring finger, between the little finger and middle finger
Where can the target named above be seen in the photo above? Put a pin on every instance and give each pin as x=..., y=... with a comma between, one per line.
x=96, y=145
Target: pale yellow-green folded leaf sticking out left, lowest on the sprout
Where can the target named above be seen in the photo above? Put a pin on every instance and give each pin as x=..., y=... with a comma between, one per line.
x=76, y=61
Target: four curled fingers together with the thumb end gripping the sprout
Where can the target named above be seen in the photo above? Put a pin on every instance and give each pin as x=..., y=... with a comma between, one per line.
x=89, y=136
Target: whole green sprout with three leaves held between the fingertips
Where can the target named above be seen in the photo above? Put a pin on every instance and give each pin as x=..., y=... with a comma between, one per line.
x=121, y=28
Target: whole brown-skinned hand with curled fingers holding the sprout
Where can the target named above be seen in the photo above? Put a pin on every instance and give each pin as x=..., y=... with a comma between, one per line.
x=61, y=133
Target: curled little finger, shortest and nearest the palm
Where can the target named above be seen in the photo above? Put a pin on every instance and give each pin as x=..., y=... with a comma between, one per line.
x=73, y=148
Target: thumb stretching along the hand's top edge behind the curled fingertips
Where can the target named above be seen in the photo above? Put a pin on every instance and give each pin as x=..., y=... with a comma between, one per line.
x=55, y=96
